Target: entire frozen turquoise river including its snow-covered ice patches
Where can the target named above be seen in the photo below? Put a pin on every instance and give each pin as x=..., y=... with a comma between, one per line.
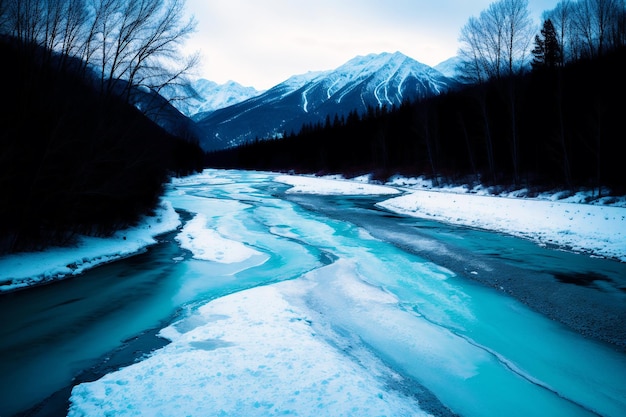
x=278, y=304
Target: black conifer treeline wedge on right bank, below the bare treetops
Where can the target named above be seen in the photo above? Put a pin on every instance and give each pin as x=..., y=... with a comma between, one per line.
x=552, y=127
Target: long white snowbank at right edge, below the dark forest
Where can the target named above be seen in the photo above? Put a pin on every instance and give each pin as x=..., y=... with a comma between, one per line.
x=598, y=229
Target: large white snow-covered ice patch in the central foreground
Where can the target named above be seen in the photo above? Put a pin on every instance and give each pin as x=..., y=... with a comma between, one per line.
x=252, y=353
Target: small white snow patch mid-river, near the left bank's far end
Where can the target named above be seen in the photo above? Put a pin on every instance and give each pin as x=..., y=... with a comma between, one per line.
x=207, y=244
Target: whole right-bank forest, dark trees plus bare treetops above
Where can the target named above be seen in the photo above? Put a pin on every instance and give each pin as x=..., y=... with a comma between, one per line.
x=555, y=121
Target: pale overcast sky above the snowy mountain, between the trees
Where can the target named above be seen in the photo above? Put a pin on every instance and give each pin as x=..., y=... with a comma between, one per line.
x=261, y=43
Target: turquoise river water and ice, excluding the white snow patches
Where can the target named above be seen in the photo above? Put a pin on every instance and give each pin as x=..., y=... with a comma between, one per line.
x=513, y=324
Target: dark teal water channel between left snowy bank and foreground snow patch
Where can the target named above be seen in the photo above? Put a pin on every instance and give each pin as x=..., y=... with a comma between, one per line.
x=50, y=333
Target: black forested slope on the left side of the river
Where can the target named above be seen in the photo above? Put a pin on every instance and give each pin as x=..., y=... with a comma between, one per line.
x=73, y=160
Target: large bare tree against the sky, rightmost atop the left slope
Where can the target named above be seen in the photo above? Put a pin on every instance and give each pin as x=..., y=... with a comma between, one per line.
x=138, y=42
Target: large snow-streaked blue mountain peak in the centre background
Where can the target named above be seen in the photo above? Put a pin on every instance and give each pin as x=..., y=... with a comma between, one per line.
x=371, y=81
